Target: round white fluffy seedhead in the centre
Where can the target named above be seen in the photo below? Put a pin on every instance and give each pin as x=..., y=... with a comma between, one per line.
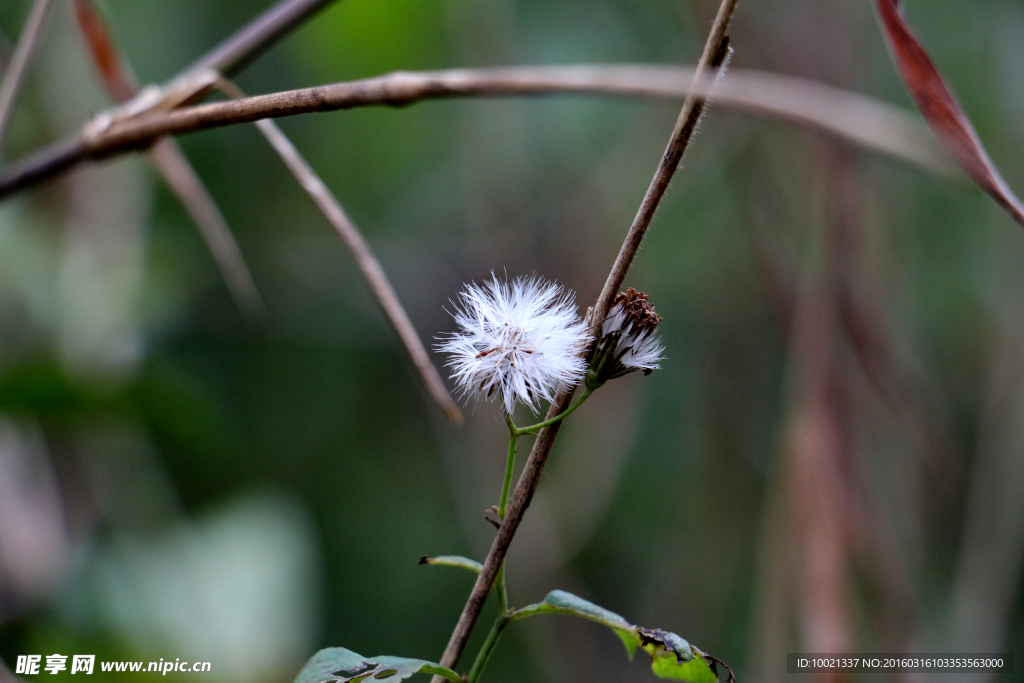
x=519, y=341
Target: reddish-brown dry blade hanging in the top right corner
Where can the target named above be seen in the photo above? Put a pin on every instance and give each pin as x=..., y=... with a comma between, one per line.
x=942, y=110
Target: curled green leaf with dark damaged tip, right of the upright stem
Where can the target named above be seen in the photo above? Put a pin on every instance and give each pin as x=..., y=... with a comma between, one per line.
x=673, y=658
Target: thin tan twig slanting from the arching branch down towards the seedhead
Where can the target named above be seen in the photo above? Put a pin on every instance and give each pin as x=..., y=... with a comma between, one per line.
x=364, y=255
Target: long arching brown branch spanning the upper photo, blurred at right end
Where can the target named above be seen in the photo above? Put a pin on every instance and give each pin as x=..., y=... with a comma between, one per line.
x=855, y=118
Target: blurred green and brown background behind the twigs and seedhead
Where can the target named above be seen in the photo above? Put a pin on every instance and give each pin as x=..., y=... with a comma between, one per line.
x=831, y=459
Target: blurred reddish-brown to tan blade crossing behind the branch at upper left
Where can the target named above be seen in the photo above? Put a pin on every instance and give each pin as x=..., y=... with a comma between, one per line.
x=172, y=162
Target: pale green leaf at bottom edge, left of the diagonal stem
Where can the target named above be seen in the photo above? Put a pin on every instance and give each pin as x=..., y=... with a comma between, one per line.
x=336, y=665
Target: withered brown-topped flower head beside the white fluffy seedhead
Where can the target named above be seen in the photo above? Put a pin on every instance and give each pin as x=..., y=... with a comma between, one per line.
x=629, y=340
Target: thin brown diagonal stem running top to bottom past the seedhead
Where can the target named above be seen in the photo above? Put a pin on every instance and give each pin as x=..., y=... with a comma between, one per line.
x=714, y=55
